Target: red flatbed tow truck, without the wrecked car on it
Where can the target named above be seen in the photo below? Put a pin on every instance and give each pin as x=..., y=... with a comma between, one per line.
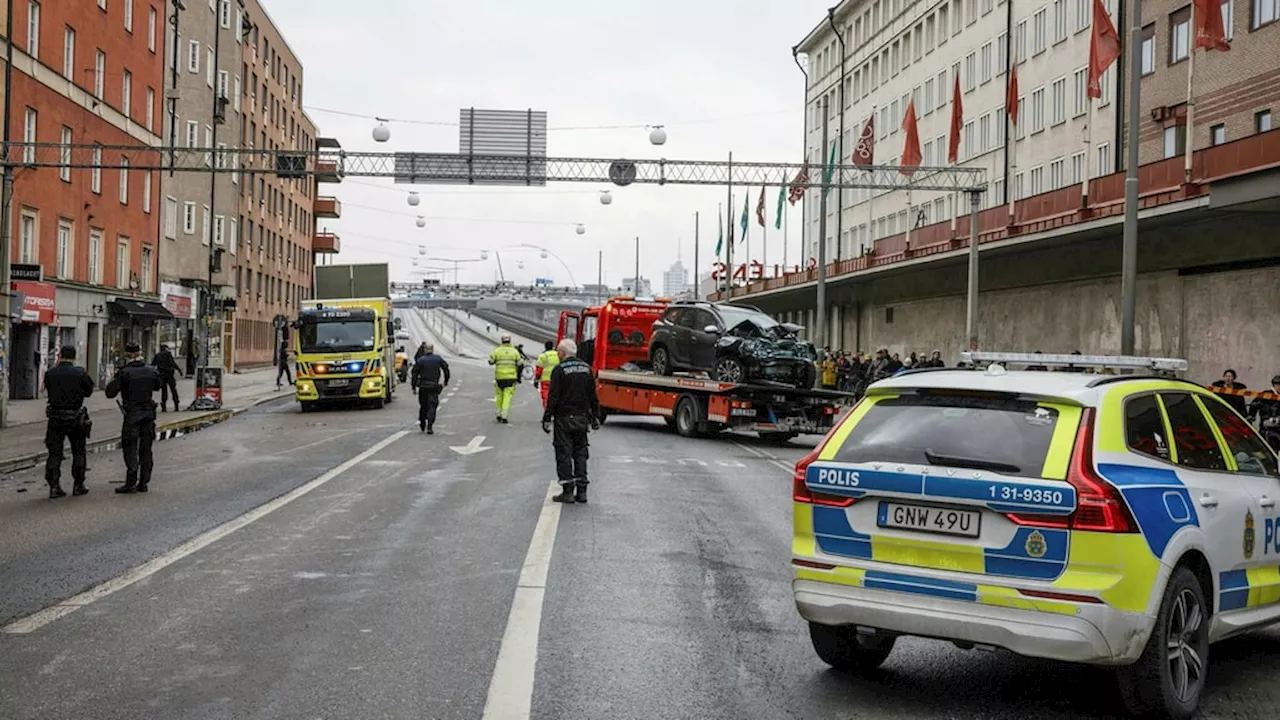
x=692, y=405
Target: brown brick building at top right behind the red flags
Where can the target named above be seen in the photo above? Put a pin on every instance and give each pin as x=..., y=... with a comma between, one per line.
x=1236, y=92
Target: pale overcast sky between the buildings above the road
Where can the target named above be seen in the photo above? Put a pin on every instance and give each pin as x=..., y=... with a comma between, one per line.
x=717, y=74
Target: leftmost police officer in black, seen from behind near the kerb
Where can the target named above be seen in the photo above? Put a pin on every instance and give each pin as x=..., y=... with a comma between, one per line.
x=67, y=386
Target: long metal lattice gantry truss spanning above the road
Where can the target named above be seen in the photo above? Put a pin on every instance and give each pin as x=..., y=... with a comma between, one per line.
x=447, y=168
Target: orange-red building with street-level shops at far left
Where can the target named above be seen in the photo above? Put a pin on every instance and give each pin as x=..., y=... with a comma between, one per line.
x=85, y=240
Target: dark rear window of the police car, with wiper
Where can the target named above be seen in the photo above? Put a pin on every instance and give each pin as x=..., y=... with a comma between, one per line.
x=1002, y=435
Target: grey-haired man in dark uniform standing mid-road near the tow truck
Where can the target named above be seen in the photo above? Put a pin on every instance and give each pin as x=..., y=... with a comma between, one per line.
x=573, y=407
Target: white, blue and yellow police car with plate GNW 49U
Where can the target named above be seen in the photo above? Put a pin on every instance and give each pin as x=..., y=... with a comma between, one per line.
x=1124, y=521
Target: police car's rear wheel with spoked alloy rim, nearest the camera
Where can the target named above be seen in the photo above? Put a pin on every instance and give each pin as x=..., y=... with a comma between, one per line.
x=1169, y=677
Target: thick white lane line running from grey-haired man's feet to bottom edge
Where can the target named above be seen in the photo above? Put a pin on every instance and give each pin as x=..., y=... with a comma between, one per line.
x=511, y=690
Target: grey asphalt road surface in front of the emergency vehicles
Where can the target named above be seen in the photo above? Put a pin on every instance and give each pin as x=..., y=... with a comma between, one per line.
x=385, y=590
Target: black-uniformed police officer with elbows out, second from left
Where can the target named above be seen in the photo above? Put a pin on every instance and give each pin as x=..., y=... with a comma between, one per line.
x=136, y=384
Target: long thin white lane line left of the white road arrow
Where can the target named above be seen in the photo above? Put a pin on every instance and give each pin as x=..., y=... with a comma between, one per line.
x=43, y=618
